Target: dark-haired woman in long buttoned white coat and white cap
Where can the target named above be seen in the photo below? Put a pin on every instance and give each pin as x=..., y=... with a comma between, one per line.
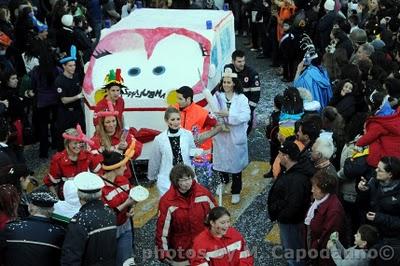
x=230, y=151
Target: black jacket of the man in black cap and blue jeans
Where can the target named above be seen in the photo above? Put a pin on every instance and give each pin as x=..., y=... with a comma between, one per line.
x=290, y=195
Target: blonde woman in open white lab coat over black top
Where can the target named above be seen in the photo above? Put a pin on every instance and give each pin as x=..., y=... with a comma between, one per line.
x=171, y=147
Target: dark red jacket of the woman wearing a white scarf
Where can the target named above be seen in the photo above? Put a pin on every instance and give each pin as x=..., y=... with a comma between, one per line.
x=328, y=218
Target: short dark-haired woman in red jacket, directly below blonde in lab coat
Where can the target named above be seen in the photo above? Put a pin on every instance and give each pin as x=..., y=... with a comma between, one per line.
x=182, y=211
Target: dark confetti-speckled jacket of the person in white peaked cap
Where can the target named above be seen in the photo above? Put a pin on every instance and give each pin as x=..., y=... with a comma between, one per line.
x=91, y=237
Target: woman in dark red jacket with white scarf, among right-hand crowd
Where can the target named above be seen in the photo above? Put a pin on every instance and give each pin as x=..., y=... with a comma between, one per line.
x=325, y=216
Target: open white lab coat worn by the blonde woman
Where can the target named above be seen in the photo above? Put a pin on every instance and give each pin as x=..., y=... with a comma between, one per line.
x=160, y=162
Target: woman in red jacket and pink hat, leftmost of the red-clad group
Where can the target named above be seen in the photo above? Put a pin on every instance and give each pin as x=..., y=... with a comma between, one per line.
x=74, y=159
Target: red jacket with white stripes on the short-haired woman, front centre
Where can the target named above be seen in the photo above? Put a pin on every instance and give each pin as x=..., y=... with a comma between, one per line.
x=181, y=219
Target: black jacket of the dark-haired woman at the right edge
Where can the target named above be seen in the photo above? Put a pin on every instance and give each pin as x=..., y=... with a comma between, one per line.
x=386, y=205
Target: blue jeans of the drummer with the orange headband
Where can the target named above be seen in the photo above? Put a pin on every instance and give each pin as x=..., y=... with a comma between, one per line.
x=124, y=243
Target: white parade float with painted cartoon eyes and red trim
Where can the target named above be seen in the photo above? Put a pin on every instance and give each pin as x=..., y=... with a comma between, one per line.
x=158, y=51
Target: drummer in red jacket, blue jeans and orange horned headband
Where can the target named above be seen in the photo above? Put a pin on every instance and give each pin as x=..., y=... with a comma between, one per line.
x=115, y=194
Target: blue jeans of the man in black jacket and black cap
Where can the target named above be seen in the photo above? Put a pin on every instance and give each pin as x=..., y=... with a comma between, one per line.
x=292, y=240
